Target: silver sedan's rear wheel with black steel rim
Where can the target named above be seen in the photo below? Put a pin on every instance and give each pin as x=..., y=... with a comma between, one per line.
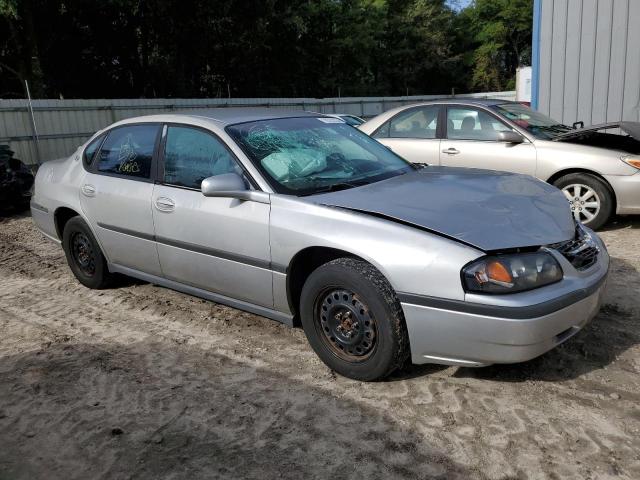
x=84, y=255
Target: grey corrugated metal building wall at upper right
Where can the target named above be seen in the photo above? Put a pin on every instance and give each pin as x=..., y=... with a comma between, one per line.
x=589, y=60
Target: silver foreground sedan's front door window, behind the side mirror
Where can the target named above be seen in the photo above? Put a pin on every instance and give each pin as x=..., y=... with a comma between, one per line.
x=191, y=155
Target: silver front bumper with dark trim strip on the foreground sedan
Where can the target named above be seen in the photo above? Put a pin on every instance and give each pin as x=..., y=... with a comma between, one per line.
x=504, y=329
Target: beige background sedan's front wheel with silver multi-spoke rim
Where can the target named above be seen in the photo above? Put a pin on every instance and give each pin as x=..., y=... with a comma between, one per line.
x=590, y=199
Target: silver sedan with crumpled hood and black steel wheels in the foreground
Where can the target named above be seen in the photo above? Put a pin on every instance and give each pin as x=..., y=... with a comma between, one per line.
x=306, y=220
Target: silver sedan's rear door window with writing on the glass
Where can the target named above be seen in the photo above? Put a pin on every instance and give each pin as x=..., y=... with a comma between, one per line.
x=128, y=151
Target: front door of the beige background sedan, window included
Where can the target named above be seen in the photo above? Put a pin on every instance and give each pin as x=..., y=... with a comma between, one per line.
x=472, y=141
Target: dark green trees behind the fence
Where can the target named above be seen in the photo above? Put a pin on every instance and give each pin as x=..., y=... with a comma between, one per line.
x=261, y=48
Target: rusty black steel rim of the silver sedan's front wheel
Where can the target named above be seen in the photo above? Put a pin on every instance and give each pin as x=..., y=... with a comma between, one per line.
x=346, y=325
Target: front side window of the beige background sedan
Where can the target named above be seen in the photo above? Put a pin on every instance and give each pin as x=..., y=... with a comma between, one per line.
x=465, y=123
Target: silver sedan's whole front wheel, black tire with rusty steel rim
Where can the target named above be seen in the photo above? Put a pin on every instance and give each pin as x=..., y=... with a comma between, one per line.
x=363, y=335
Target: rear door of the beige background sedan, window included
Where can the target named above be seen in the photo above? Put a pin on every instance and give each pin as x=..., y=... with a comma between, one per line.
x=413, y=134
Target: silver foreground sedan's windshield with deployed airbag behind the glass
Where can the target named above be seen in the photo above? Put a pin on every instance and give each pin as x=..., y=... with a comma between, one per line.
x=308, y=155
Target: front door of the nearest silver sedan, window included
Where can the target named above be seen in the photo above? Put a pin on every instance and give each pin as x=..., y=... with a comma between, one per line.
x=216, y=244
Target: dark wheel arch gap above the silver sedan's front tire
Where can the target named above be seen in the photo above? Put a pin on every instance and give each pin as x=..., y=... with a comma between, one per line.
x=304, y=263
